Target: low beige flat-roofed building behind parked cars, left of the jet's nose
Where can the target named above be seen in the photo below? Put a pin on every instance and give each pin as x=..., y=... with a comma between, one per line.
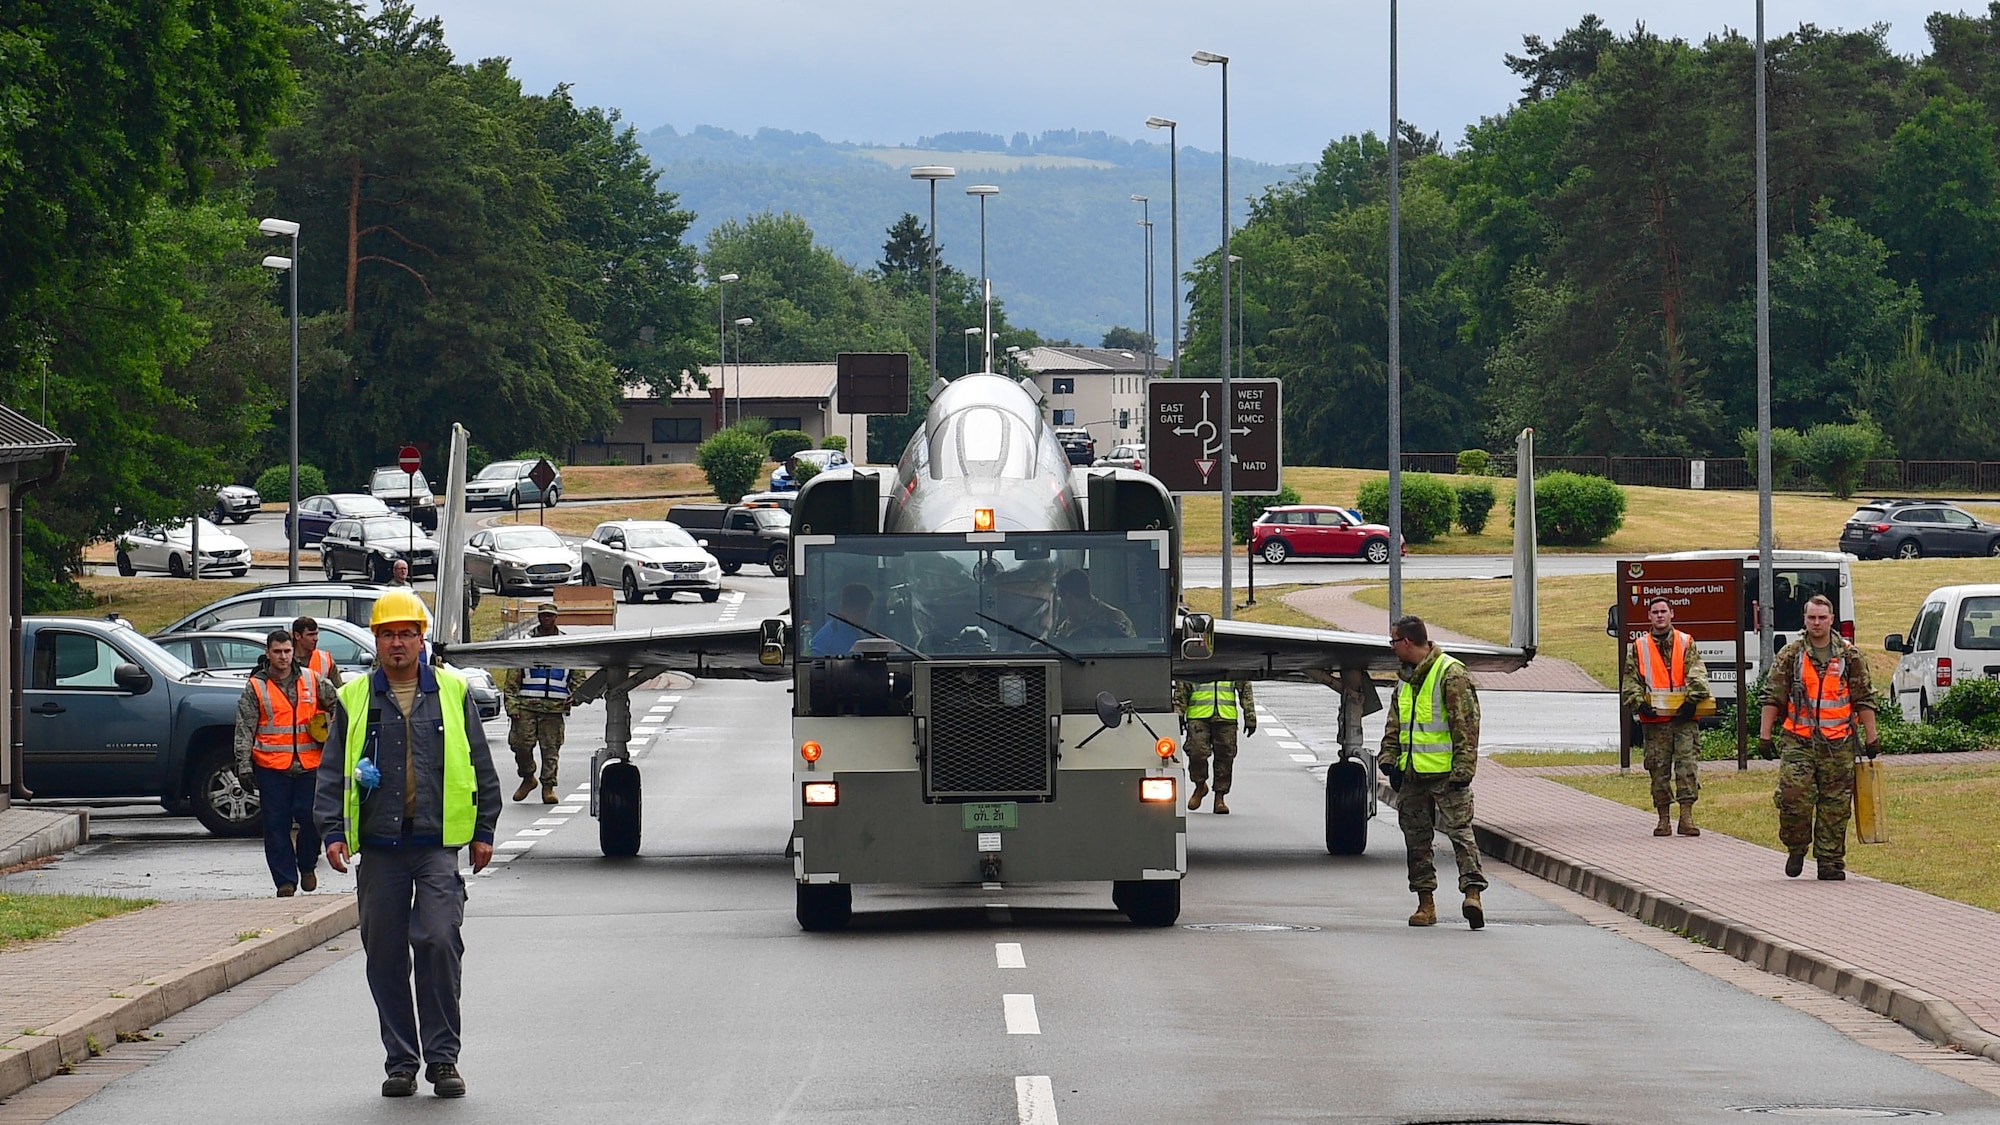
x=791, y=395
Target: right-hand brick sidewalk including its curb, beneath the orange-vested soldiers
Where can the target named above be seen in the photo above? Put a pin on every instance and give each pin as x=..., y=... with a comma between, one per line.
x=1921, y=960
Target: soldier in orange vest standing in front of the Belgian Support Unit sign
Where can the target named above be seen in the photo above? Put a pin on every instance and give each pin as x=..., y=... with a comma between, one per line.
x=1667, y=662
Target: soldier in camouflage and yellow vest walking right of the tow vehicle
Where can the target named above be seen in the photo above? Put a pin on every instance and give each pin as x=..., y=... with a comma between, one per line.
x=1431, y=760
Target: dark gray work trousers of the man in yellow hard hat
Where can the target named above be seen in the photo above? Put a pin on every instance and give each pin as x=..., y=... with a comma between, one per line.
x=413, y=902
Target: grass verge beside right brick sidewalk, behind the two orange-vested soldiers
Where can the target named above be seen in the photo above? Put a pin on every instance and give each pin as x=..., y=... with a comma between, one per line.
x=1943, y=824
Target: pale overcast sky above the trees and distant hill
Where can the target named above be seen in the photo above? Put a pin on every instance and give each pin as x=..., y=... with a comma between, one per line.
x=891, y=71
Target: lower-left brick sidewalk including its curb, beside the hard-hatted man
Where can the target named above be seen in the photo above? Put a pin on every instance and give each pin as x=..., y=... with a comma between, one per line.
x=73, y=996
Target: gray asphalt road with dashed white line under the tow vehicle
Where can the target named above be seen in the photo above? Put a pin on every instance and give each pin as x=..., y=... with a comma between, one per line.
x=677, y=986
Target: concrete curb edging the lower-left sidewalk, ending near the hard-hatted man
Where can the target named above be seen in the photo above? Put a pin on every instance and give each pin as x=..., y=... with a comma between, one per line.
x=27, y=1060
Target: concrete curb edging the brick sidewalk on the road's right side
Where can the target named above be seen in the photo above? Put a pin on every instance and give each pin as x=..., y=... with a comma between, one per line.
x=1925, y=1014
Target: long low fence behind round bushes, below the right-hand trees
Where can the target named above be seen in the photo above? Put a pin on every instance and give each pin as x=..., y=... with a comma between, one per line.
x=1737, y=473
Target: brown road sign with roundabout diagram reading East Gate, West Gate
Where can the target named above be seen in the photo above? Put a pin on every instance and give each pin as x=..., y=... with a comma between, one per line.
x=1185, y=437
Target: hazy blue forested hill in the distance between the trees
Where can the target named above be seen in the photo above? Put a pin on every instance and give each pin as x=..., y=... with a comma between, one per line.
x=1063, y=239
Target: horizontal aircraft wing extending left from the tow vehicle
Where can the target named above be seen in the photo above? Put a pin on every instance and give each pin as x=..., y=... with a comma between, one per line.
x=715, y=652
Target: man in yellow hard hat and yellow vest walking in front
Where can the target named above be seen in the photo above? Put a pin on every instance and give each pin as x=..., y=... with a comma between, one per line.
x=411, y=784
